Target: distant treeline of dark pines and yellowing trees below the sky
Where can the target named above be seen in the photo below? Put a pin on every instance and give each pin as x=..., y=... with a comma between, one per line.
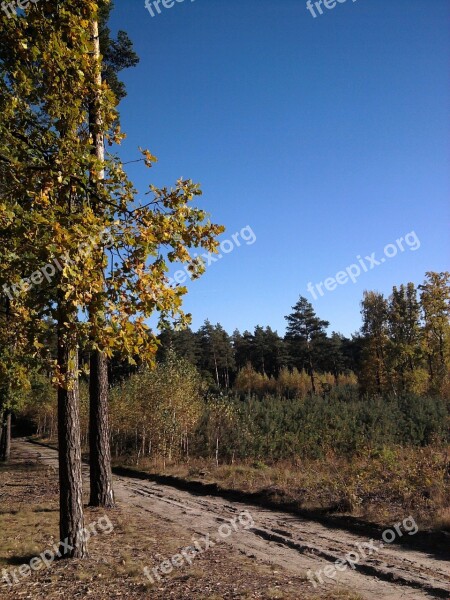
x=403, y=346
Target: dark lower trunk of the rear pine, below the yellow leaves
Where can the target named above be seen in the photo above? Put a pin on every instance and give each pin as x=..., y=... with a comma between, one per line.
x=99, y=442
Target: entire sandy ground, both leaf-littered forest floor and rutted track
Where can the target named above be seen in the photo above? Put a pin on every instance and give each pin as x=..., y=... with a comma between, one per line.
x=253, y=552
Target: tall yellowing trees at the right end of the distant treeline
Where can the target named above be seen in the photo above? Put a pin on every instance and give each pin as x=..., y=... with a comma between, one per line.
x=406, y=345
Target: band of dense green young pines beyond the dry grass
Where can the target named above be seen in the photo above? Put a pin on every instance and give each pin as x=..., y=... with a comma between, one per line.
x=272, y=428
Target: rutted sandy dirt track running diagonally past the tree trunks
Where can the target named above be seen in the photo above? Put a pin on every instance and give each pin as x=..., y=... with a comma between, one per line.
x=292, y=543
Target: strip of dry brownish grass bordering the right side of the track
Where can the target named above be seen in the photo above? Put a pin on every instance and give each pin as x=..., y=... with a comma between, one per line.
x=377, y=486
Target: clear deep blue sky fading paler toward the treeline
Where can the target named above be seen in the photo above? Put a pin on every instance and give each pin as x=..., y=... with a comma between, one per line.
x=327, y=136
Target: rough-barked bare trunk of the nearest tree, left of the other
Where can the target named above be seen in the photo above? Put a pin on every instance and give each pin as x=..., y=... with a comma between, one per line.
x=69, y=441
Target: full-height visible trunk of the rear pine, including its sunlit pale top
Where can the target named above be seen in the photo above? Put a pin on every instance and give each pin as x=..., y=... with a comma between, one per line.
x=99, y=434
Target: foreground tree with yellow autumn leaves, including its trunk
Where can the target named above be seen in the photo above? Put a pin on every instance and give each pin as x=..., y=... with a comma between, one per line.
x=62, y=202
